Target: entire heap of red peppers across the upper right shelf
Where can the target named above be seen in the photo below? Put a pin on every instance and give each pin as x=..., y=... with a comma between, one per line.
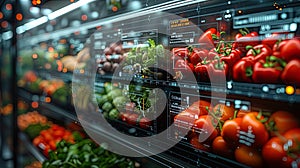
x=247, y=59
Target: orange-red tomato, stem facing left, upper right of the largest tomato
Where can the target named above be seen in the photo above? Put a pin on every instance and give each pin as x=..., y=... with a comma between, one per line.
x=282, y=121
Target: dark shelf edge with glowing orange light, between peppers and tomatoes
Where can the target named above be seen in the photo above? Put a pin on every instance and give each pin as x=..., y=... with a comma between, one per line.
x=276, y=92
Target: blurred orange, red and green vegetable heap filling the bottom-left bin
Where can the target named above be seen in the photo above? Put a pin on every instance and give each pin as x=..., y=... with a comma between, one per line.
x=66, y=148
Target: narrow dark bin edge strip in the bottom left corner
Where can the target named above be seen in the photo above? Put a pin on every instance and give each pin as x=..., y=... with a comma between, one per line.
x=31, y=148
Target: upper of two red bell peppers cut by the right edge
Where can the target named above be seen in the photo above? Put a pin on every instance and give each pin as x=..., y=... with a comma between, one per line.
x=291, y=50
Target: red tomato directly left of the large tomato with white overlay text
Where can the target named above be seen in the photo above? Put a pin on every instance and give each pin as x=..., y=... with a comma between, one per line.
x=230, y=130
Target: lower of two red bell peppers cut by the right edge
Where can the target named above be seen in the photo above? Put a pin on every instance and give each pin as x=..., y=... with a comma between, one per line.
x=290, y=74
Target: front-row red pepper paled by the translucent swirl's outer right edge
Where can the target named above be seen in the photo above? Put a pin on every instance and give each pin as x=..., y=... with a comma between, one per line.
x=218, y=69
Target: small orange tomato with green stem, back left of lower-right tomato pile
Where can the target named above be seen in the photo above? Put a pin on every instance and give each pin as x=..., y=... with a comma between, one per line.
x=223, y=112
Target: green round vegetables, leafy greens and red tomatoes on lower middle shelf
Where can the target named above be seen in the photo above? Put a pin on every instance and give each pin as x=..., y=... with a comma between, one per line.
x=131, y=105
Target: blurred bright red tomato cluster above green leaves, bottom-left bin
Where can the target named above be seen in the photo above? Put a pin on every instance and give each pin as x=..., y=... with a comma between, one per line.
x=47, y=139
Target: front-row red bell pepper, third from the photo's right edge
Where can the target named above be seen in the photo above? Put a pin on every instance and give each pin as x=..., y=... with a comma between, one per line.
x=243, y=70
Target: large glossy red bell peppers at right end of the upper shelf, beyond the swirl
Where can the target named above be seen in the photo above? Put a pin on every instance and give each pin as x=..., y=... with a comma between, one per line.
x=272, y=60
